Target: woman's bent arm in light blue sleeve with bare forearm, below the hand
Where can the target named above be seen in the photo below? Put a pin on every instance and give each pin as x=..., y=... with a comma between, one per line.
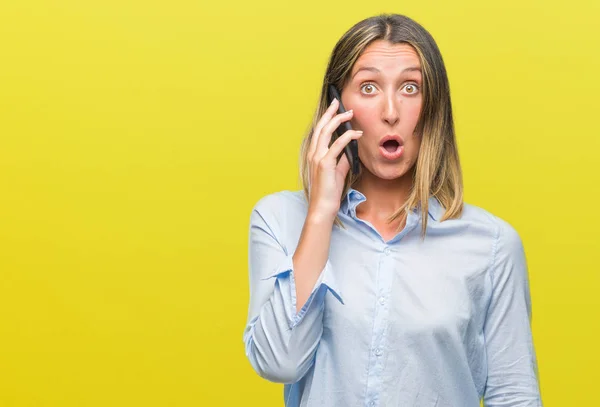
x=281, y=336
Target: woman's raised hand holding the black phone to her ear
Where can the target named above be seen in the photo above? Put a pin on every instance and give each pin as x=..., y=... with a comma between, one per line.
x=326, y=179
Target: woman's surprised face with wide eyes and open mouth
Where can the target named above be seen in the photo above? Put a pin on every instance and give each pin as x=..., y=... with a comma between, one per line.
x=386, y=99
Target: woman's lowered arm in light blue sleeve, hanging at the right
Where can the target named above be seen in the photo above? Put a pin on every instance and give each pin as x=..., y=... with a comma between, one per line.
x=512, y=366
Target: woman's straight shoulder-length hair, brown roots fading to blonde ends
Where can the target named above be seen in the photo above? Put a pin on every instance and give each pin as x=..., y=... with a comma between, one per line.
x=437, y=171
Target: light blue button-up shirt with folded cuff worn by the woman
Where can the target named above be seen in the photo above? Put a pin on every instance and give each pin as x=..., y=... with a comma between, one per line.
x=442, y=322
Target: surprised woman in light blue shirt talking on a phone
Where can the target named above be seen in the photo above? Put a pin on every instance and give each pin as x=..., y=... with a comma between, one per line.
x=384, y=288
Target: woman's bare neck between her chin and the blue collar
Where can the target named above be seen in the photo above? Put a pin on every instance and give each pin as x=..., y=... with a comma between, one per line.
x=384, y=197
